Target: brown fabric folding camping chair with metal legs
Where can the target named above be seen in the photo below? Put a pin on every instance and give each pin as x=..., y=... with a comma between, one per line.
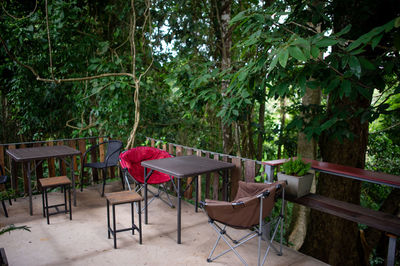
x=252, y=204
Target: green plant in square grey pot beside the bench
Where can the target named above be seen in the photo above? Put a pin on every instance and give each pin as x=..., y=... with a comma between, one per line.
x=295, y=172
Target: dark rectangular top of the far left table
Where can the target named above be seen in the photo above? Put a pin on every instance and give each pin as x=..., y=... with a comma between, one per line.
x=39, y=153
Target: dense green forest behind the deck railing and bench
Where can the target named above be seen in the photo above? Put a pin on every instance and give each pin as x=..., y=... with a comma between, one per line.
x=257, y=79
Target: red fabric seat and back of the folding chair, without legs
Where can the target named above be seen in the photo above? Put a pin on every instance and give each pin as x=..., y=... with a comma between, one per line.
x=132, y=158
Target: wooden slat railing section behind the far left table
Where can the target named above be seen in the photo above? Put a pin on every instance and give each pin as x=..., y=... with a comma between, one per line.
x=51, y=166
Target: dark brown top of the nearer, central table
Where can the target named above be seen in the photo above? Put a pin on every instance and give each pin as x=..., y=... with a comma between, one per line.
x=185, y=166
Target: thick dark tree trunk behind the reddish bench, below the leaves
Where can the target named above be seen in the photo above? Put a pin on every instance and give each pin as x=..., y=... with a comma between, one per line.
x=324, y=230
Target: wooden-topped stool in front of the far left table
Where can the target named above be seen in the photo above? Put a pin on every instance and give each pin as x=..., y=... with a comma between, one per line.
x=53, y=182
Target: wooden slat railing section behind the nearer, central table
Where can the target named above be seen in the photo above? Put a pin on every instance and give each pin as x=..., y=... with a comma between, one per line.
x=246, y=169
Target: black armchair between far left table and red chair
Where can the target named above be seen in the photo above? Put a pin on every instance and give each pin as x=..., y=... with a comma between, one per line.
x=105, y=165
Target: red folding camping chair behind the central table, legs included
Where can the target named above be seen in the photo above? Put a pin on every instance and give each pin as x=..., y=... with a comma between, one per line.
x=130, y=162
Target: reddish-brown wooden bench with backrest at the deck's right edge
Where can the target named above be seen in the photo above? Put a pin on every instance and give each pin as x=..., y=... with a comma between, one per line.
x=352, y=212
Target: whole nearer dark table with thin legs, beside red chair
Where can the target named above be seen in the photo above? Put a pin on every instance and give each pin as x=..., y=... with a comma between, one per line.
x=182, y=167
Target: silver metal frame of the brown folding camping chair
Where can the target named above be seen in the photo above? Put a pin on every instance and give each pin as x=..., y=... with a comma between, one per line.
x=258, y=231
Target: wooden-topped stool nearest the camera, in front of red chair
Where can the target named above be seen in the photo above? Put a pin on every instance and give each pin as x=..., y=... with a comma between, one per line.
x=122, y=197
